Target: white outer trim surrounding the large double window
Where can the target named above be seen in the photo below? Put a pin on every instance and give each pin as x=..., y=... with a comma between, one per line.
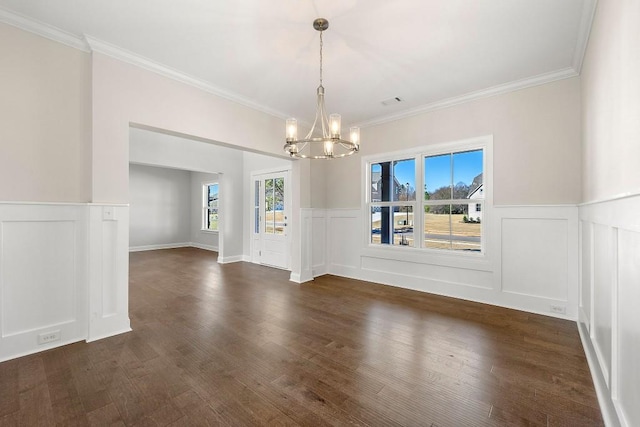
x=479, y=260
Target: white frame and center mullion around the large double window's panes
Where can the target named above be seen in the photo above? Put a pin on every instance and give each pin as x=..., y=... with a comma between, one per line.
x=418, y=252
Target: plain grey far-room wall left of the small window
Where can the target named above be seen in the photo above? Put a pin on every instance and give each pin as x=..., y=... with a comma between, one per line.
x=160, y=207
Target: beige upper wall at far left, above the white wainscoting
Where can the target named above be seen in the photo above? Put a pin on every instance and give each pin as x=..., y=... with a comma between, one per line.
x=45, y=119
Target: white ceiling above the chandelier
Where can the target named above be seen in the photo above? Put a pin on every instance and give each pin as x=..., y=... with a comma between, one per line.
x=265, y=53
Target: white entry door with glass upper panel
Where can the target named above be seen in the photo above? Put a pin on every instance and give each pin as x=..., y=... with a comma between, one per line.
x=271, y=214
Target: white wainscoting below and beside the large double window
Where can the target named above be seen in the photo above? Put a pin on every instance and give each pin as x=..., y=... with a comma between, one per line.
x=531, y=259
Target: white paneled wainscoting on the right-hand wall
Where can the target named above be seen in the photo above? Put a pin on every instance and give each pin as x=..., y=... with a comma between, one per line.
x=609, y=319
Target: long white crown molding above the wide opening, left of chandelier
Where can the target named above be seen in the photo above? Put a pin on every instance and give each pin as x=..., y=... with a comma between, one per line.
x=129, y=57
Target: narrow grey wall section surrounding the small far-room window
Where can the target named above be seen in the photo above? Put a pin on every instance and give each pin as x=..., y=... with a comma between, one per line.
x=200, y=238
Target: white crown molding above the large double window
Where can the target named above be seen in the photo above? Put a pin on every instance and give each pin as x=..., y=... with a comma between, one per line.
x=540, y=79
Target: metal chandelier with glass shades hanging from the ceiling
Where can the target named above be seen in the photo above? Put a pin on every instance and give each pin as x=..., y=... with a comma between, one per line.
x=323, y=140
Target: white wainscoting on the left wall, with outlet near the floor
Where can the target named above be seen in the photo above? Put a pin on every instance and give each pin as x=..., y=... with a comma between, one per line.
x=63, y=274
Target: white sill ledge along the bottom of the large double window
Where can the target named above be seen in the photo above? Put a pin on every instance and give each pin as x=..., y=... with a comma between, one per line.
x=465, y=260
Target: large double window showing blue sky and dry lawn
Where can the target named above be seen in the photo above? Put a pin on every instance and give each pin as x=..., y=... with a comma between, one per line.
x=446, y=215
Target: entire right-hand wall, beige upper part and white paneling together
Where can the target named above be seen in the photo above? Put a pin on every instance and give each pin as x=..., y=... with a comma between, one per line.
x=609, y=221
